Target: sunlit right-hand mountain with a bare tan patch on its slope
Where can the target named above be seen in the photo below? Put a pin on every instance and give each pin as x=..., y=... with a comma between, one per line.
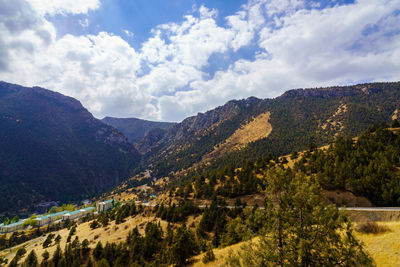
x=250, y=128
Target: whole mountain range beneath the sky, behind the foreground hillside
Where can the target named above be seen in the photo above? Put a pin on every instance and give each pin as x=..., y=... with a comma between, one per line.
x=54, y=149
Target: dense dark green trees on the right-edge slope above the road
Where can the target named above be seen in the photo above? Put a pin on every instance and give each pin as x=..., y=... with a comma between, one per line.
x=367, y=167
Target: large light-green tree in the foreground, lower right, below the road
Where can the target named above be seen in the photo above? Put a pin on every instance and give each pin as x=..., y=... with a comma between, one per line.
x=301, y=231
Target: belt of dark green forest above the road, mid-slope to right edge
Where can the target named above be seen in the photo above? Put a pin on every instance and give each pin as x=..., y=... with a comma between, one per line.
x=368, y=167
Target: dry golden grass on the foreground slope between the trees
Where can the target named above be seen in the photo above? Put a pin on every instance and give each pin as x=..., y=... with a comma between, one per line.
x=384, y=248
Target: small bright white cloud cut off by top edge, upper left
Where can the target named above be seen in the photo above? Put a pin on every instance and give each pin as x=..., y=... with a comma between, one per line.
x=52, y=7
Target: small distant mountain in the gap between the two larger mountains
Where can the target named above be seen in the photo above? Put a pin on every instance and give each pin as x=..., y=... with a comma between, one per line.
x=136, y=129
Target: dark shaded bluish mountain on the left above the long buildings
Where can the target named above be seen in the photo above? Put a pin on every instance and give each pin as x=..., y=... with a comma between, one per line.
x=52, y=148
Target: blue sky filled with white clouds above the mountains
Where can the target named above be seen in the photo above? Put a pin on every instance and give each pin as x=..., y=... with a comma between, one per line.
x=165, y=60
